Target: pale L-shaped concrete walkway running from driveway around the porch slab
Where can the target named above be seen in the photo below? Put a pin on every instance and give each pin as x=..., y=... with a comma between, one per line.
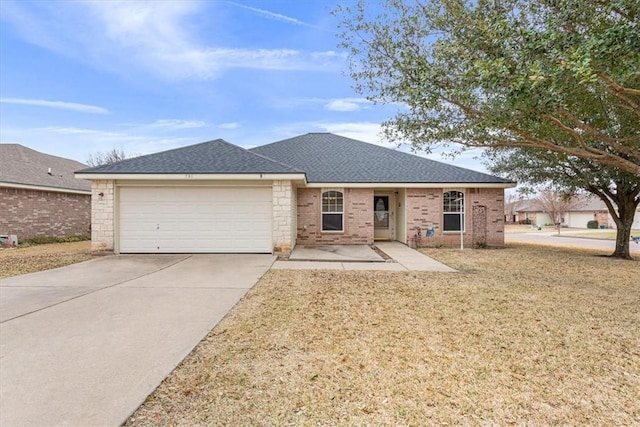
x=405, y=259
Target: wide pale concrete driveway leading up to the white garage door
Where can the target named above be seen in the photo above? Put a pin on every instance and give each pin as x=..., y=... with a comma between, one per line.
x=85, y=344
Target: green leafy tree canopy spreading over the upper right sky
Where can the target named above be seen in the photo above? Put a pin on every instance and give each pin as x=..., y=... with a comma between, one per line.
x=561, y=76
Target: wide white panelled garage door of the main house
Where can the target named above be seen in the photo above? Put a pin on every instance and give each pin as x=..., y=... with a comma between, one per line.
x=195, y=219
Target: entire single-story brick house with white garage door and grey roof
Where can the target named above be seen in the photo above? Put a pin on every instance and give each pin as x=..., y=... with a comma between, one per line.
x=317, y=188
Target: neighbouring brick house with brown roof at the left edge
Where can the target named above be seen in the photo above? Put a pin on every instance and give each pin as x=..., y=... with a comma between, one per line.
x=40, y=196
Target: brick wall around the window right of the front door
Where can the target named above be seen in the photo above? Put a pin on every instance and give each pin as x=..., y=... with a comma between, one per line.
x=424, y=211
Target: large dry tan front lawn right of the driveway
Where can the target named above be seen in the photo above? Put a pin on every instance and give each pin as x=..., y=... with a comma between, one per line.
x=524, y=336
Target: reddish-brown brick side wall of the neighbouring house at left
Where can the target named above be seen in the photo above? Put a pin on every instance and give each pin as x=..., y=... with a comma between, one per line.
x=32, y=213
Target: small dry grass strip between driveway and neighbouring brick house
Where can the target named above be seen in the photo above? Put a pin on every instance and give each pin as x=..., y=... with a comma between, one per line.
x=22, y=260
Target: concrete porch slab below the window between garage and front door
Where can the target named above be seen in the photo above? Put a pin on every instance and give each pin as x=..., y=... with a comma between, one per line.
x=339, y=253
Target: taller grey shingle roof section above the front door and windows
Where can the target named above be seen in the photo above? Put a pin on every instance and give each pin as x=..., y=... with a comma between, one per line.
x=326, y=157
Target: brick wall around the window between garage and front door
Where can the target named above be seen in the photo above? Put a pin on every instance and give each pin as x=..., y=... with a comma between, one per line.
x=358, y=218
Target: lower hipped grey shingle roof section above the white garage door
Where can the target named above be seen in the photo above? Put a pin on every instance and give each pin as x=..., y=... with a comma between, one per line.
x=213, y=157
